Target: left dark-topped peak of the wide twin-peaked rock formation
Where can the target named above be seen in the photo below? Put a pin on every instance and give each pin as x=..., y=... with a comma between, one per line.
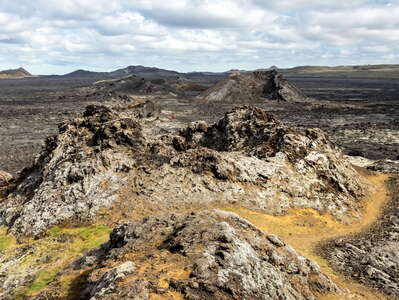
x=77, y=173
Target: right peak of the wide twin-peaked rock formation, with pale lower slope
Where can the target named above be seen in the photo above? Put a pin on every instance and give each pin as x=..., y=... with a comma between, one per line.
x=282, y=166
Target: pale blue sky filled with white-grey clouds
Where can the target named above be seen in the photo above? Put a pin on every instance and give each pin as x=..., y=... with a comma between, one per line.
x=59, y=36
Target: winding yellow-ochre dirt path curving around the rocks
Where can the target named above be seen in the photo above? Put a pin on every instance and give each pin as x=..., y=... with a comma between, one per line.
x=306, y=229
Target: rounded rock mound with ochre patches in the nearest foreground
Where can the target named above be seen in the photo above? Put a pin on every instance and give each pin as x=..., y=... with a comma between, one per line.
x=206, y=255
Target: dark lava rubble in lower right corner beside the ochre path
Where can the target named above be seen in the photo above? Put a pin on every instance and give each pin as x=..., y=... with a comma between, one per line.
x=372, y=258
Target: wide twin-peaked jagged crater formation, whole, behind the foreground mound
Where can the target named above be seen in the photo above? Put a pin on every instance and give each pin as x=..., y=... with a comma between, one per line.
x=248, y=159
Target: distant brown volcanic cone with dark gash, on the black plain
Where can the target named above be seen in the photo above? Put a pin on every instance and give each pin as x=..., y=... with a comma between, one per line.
x=252, y=87
